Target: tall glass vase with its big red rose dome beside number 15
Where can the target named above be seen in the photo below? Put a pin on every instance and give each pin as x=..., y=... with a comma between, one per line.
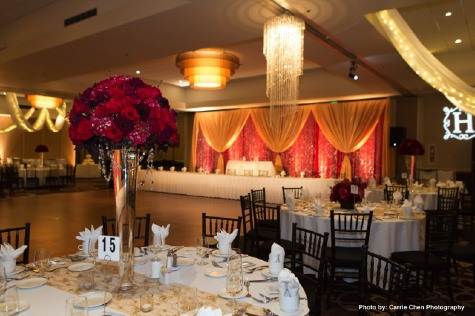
x=121, y=118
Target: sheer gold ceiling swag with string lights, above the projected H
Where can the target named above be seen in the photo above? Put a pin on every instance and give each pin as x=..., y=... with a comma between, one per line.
x=424, y=63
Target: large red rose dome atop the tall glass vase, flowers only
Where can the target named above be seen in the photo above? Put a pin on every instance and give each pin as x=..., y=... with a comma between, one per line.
x=123, y=111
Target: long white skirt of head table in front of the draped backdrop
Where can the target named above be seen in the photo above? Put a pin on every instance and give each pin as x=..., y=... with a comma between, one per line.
x=226, y=186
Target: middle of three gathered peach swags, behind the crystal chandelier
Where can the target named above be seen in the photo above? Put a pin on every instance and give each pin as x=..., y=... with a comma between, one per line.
x=279, y=132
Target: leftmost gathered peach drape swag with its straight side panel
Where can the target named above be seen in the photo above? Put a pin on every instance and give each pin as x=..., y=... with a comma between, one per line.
x=220, y=129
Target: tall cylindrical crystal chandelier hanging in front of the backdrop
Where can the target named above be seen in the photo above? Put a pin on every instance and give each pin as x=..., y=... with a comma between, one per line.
x=283, y=49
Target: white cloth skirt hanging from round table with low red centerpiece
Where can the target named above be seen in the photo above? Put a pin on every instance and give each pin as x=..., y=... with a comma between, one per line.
x=386, y=236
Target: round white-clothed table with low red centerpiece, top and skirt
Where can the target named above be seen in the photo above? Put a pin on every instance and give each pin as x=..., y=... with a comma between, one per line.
x=388, y=233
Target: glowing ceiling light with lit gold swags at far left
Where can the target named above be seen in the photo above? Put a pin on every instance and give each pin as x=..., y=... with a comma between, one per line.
x=38, y=102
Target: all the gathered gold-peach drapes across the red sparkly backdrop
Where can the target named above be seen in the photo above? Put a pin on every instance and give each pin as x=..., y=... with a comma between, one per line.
x=346, y=125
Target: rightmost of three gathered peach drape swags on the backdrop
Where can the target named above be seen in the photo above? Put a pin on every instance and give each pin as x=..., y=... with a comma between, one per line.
x=348, y=125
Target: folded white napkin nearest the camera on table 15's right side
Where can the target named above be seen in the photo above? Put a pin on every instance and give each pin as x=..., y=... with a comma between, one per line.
x=289, y=286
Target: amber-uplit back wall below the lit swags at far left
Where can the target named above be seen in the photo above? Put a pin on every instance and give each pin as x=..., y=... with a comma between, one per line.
x=19, y=143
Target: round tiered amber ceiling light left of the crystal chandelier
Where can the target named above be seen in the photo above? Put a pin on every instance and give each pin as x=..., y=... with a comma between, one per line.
x=207, y=68
